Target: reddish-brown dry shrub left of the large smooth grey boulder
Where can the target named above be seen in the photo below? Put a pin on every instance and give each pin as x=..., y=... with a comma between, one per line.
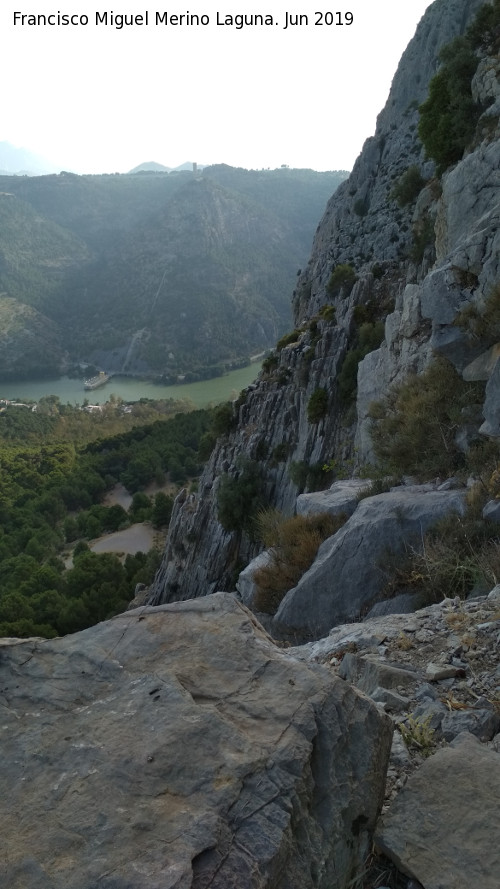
x=294, y=543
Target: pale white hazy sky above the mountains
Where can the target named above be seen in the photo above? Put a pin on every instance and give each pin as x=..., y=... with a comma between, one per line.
x=95, y=98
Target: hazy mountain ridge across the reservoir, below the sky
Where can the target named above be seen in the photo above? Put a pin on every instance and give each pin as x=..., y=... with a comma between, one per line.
x=158, y=273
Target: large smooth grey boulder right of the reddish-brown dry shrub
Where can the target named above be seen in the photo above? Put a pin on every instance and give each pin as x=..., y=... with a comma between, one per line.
x=347, y=576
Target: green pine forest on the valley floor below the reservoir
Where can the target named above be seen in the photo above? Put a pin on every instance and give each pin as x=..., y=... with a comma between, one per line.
x=56, y=464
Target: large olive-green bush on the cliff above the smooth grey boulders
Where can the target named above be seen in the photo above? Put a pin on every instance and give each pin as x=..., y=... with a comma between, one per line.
x=415, y=425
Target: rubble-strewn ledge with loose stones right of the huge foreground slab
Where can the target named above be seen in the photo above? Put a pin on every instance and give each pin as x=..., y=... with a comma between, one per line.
x=437, y=673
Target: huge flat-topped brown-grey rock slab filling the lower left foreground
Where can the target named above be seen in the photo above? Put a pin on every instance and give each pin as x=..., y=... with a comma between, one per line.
x=179, y=747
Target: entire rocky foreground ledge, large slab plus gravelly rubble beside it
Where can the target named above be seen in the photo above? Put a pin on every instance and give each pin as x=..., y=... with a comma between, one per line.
x=181, y=747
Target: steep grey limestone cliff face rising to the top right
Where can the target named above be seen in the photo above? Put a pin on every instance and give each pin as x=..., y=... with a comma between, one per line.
x=410, y=268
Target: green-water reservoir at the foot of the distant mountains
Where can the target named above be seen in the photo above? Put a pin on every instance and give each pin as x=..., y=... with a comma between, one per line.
x=202, y=394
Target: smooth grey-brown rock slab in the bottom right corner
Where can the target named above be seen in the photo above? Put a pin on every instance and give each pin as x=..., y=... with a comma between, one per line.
x=441, y=828
